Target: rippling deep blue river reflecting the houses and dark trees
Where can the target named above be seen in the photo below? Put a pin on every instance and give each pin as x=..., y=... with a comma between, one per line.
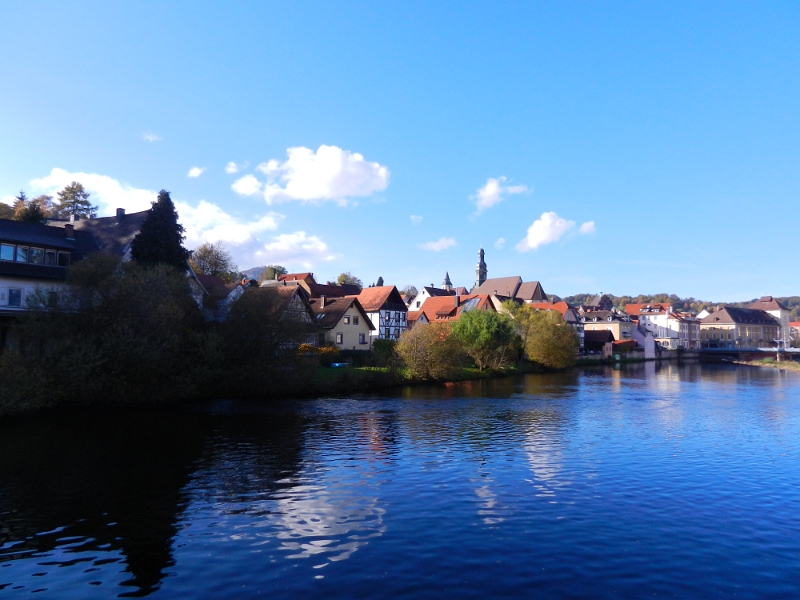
x=647, y=480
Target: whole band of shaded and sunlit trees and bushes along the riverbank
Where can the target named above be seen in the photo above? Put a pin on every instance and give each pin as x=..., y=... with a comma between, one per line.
x=130, y=332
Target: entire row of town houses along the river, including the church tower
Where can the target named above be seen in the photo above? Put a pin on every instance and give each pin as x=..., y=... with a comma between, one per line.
x=34, y=256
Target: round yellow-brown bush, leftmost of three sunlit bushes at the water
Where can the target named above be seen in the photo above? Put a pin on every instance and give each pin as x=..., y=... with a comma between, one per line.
x=430, y=351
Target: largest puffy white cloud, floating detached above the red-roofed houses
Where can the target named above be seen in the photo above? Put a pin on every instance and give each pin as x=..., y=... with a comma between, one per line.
x=330, y=173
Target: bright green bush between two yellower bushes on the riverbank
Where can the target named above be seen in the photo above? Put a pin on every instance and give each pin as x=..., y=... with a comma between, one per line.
x=488, y=337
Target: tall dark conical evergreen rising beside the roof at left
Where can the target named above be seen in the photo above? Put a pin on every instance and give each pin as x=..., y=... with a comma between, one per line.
x=160, y=241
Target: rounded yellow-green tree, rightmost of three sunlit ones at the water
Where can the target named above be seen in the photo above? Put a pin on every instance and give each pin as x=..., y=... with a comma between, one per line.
x=548, y=339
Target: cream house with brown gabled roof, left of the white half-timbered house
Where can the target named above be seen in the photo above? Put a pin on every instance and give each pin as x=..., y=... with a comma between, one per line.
x=342, y=322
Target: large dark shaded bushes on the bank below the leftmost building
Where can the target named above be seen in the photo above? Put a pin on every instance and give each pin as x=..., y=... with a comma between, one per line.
x=116, y=333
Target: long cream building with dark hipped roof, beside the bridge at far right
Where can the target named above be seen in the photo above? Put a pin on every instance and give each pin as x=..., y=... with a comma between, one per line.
x=731, y=327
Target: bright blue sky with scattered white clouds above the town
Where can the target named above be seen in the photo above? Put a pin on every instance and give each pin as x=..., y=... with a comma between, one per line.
x=611, y=147
